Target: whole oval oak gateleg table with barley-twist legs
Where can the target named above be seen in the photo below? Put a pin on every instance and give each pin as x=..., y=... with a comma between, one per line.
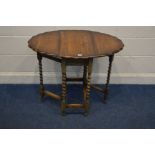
x=77, y=48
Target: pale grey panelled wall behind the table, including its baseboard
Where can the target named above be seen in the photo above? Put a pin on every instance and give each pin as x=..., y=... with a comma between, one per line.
x=135, y=64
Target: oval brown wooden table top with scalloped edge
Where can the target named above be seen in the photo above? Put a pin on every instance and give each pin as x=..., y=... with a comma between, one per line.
x=75, y=44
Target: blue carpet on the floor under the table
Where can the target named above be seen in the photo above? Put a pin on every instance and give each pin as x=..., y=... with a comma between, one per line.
x=128, y=107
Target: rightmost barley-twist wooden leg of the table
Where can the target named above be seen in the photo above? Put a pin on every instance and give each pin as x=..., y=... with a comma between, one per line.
x=106, y=91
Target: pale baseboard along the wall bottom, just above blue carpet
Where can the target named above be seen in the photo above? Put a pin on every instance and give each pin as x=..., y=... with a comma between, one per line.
x=55, y=78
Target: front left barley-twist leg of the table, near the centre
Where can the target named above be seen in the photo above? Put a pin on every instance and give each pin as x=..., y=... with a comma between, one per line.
x=64, y=86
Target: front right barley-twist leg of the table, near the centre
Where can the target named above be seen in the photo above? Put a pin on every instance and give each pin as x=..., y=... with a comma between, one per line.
x=88, y=72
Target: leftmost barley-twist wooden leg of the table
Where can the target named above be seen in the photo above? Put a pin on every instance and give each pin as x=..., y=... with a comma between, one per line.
x=41, y=75
